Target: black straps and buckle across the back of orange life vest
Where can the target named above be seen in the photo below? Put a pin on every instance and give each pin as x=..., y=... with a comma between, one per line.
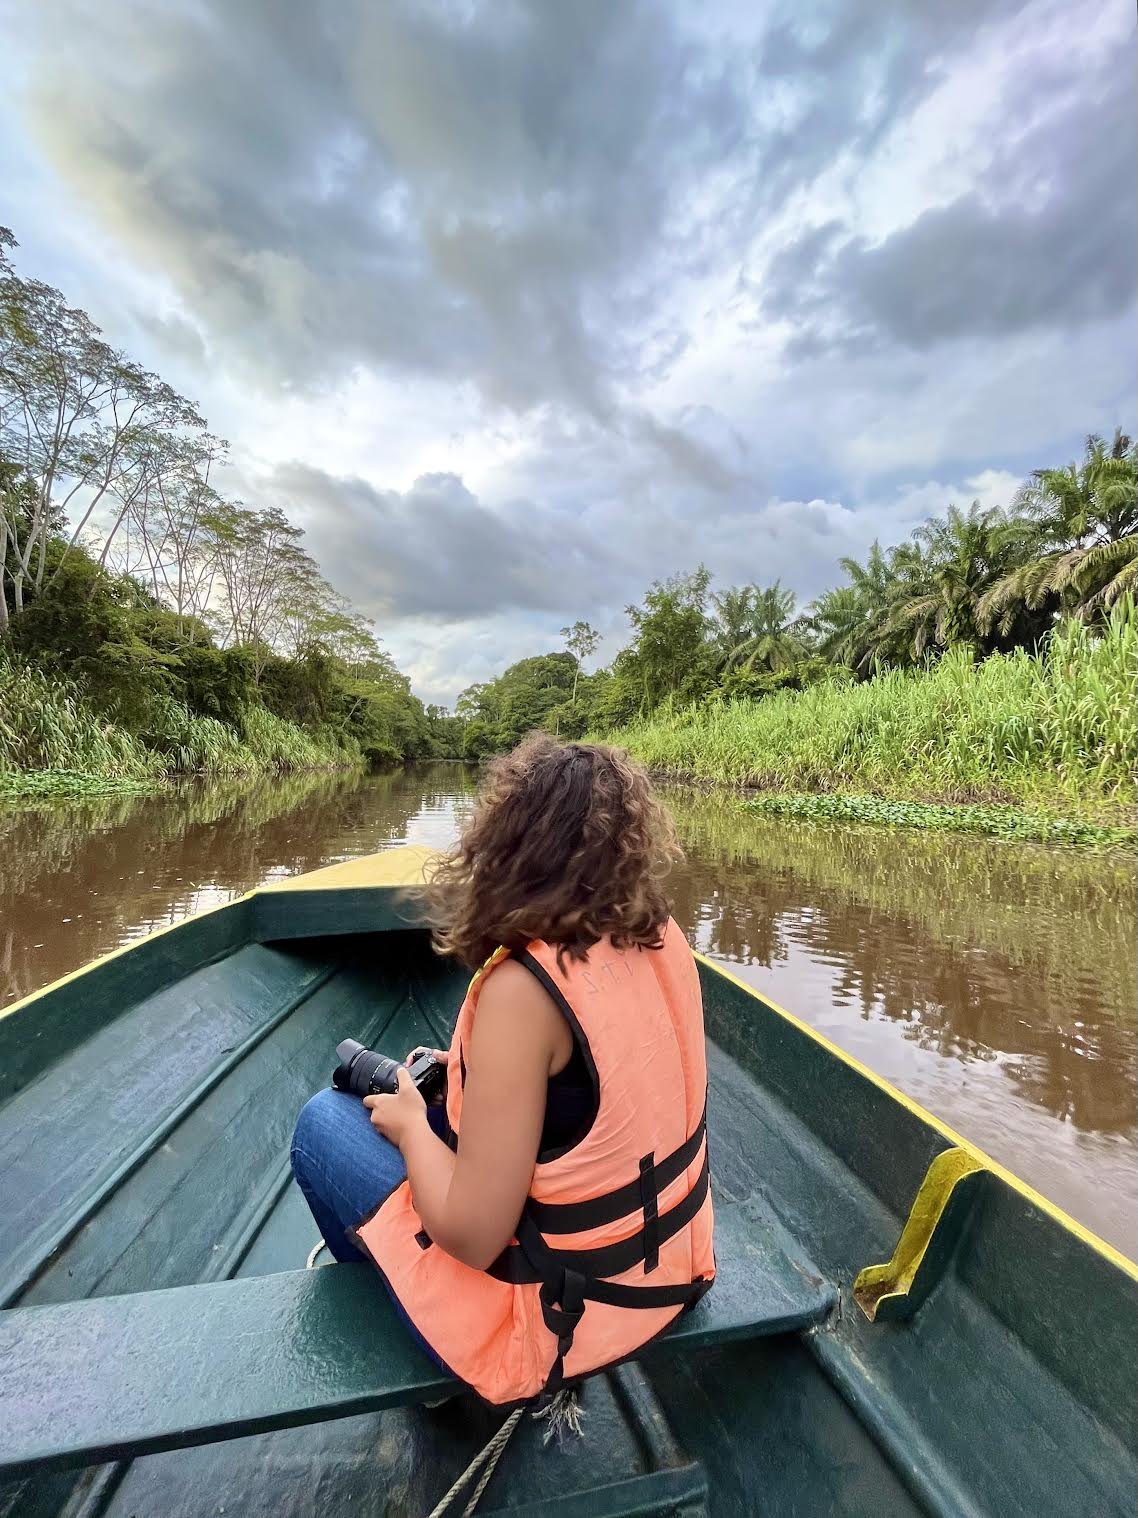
x=573, y=1277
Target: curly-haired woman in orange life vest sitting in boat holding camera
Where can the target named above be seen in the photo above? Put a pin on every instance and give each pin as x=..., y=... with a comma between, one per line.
x=555, y=1214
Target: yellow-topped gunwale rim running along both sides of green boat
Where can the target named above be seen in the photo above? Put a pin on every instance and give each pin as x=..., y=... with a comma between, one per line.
x=347, y=875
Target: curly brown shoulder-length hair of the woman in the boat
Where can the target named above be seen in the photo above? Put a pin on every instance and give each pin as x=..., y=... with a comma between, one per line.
x=568, y=845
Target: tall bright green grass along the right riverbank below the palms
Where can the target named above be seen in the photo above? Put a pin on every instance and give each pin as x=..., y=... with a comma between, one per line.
x=1014, y=729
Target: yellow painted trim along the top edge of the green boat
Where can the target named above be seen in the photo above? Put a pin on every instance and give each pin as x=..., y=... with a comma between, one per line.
x=406, y=866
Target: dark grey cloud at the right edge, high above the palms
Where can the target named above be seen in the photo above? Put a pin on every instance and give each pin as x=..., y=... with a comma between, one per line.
x=1045, y=239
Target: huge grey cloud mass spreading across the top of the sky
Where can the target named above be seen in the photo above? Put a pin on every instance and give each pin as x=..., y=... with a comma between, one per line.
x=503, y=194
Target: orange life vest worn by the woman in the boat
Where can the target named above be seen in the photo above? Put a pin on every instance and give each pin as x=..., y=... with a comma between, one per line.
x=615, y=1238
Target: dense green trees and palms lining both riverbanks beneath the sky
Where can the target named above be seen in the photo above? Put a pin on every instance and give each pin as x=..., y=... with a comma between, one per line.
x=152, y=626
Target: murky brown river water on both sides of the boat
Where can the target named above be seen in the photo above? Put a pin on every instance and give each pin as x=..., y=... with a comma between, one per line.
x=993, y=983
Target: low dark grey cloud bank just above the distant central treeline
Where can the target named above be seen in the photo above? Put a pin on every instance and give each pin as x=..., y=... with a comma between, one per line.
x=439, y=555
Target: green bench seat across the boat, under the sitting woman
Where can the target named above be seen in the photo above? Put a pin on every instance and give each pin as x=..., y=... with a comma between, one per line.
x=128, y=1376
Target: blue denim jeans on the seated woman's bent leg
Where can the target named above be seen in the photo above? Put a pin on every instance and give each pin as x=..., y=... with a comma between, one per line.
x=345, y=1168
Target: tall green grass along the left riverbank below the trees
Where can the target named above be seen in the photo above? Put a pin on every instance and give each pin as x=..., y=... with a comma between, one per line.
x=52, y=742
